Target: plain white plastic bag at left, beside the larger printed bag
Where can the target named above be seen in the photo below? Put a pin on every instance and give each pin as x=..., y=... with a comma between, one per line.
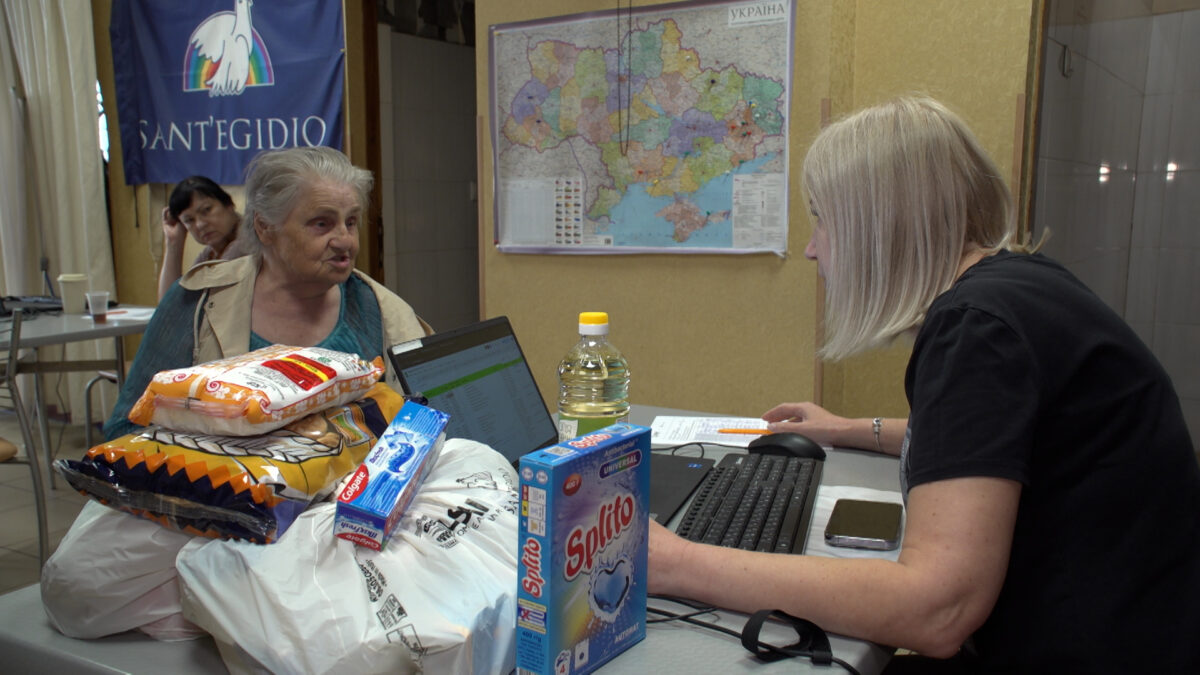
x=115, y=572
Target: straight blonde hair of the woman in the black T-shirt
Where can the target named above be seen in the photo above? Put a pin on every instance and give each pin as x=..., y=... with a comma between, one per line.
x=903, y=190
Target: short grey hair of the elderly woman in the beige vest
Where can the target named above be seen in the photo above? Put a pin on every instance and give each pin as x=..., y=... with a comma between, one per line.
x=275, y=180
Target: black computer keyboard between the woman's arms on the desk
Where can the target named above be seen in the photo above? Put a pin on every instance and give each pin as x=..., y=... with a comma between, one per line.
x=757, y=503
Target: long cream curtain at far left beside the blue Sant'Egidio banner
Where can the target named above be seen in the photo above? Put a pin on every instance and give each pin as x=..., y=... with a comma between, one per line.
x=56, y=172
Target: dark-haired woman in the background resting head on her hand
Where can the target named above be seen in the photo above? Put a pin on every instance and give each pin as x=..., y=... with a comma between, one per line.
x=203, y=210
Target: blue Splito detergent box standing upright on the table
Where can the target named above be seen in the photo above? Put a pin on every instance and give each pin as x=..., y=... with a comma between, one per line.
x=581, y=575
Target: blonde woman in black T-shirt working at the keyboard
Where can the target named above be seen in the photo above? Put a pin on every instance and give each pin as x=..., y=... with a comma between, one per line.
x=1051, y=481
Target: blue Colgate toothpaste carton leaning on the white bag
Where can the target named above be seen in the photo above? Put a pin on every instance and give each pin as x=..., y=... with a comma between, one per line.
x=386, y=483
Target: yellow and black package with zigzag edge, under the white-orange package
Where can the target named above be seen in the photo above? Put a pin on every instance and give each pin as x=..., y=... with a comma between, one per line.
x=235, y=487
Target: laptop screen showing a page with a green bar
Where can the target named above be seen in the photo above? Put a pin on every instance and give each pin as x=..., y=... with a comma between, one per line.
x=479, y=377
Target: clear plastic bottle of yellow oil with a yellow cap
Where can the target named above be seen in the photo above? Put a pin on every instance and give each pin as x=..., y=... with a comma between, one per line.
x=593, y=381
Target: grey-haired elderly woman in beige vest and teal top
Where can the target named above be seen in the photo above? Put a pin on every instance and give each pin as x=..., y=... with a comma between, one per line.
x=298, y=286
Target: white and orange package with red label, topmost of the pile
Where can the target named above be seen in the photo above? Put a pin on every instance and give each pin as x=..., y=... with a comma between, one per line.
x=256, y=392
